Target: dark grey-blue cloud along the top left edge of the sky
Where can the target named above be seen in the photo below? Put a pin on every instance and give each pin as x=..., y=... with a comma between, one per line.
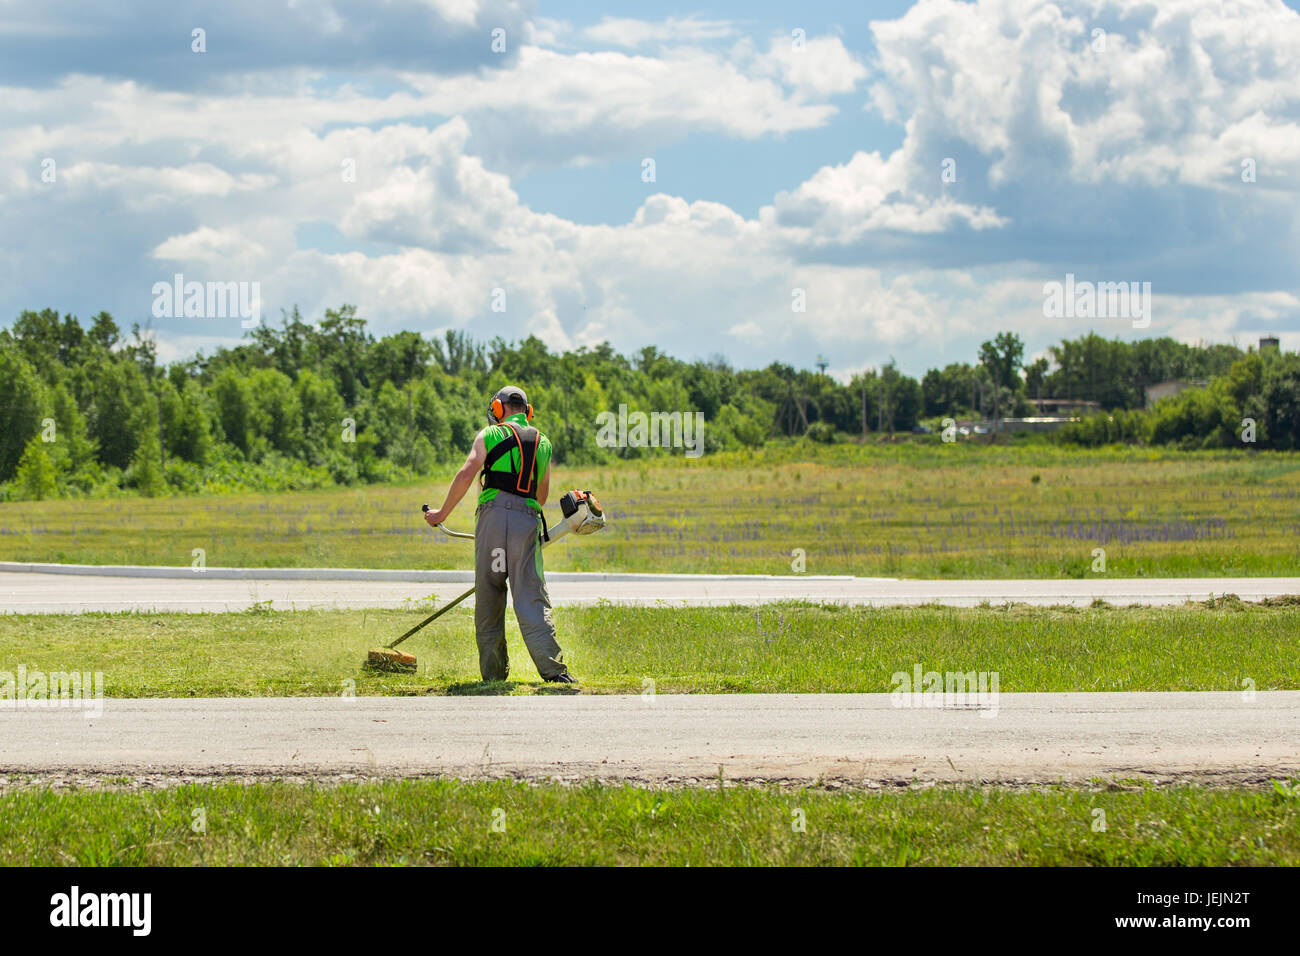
x=42, y=44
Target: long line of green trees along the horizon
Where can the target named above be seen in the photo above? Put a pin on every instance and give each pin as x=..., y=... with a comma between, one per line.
x=309, y=405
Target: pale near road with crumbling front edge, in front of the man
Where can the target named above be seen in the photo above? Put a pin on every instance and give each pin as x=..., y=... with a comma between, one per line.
x=859, y=739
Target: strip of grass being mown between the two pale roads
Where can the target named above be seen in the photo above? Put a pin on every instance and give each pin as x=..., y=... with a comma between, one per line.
x=788, y=648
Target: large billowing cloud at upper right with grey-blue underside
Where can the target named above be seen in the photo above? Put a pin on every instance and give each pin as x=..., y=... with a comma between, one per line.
x=1108, y=135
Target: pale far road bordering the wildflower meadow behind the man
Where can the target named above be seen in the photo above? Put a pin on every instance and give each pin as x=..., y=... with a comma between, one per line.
x=72, y=590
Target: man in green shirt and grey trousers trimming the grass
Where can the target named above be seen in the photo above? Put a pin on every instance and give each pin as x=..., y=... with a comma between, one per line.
x=513, y=462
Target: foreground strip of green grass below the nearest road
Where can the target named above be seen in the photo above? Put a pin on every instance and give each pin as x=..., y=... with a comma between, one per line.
x=443, y=823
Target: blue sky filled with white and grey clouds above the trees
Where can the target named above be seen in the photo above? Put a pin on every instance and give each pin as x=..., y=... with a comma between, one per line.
x=786, y=168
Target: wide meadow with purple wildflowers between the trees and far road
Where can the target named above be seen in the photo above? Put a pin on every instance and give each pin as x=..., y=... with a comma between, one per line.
x=921, y=511
